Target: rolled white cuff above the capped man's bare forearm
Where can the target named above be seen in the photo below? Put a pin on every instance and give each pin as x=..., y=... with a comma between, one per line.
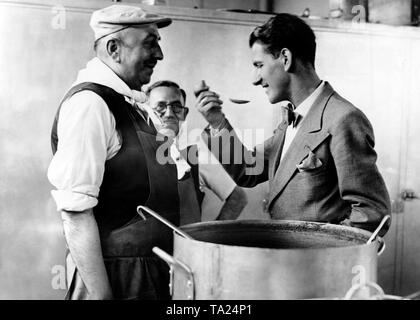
x=73, y=201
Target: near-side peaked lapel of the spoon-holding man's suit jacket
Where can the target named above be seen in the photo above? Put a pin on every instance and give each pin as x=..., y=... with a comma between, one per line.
x=309, y=136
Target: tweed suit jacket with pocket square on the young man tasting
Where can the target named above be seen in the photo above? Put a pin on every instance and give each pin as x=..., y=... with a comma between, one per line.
x=328, y=173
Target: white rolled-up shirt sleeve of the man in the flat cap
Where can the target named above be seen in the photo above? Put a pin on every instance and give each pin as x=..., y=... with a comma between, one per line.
x=86, y=139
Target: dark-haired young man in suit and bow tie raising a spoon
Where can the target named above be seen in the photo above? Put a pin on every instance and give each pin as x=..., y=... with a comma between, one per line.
x=320, y=162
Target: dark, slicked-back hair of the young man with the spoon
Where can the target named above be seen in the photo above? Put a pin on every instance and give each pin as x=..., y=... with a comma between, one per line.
x=286, y=31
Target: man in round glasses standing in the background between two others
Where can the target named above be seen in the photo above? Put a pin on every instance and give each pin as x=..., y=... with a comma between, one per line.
x=196, y=166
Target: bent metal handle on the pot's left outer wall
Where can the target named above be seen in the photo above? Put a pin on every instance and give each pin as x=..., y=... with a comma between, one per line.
x=175, y=263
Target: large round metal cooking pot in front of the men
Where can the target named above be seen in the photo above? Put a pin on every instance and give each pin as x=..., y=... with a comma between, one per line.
x=276, y=259
